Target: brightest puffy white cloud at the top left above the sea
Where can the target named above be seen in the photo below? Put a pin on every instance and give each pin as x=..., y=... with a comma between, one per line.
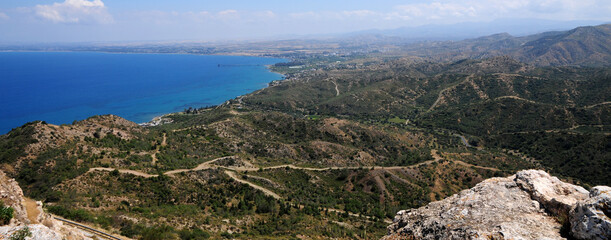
x=75, y=11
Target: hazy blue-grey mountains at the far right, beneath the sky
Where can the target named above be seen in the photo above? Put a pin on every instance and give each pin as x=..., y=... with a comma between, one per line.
x=585, y=46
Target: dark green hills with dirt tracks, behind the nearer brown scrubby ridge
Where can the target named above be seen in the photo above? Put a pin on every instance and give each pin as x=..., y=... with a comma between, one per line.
x=487, y=100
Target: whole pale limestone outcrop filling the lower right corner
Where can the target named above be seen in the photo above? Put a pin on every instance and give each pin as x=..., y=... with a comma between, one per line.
x=529, y=205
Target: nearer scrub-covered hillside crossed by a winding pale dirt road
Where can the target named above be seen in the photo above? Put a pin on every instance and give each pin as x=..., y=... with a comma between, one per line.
x=183, y=178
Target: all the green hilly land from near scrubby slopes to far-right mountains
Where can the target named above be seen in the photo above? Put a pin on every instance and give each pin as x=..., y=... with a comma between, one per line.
x=333, y=151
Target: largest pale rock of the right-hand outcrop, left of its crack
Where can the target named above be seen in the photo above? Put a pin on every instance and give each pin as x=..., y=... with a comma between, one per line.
x=494, y=209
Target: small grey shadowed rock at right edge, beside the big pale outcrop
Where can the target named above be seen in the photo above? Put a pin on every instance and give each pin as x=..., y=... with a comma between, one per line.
x=591, y=219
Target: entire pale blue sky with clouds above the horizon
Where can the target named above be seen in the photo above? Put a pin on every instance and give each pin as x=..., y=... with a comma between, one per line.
x=30, y=21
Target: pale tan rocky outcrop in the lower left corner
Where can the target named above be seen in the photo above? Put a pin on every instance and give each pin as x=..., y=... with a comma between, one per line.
x=30, y=213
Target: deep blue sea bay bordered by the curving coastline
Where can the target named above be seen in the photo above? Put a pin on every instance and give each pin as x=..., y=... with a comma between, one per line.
x=60, y=87
